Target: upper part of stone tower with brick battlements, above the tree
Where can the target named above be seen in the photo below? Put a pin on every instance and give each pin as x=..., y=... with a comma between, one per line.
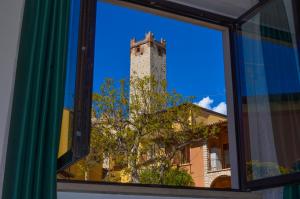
x=147, y=58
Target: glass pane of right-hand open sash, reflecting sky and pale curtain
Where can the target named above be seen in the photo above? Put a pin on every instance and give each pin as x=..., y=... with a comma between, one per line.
x=270, y=79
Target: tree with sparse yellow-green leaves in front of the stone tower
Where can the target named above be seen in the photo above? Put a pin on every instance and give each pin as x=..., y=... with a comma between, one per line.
x=129, y=126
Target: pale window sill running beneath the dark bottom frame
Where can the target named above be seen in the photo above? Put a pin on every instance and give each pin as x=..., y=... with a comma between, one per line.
x=151, y=190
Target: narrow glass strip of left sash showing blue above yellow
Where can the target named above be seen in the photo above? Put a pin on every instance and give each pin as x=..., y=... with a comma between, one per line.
x=69, y=99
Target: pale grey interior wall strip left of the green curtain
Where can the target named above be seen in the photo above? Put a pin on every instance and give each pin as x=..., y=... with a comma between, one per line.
x=11, y=12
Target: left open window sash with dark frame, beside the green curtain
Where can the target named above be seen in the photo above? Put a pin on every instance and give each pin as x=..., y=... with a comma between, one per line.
x=75, y=128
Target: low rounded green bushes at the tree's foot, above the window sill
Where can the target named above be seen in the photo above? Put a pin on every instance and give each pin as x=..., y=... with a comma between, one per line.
x=173, y=176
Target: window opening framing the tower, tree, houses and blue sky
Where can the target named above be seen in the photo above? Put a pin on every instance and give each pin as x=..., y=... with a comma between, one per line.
x=158, y=104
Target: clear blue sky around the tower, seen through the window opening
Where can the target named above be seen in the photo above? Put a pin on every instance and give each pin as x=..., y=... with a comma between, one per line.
x=194, y=53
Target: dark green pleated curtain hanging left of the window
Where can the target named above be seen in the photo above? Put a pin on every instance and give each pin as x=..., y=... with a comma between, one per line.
x=30, y=171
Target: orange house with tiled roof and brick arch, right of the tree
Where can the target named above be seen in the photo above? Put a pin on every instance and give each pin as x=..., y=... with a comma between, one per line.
x=208, y=161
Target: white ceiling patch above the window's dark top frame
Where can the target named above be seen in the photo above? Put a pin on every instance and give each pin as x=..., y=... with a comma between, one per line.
x=229, y=8
